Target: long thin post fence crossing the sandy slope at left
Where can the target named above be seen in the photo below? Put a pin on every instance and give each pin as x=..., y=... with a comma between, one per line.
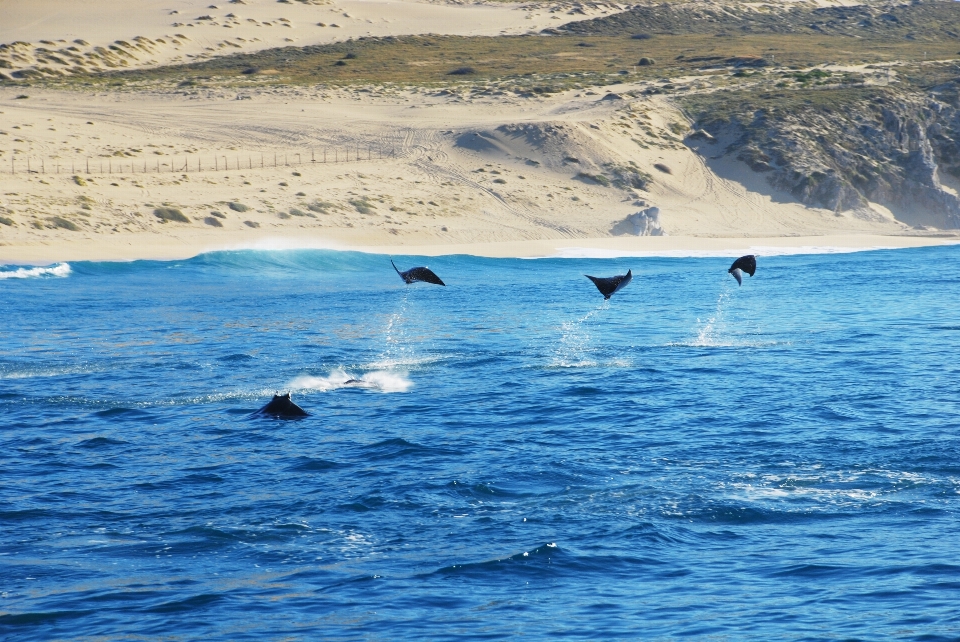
x=195, y=163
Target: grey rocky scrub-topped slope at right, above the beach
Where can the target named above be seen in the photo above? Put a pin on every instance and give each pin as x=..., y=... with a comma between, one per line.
x=877, y=145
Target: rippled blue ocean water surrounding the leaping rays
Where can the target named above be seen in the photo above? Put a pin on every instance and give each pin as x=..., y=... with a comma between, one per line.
x=690, y=459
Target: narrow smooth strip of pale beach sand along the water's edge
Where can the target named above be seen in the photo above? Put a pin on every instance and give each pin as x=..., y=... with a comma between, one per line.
x=174, y=248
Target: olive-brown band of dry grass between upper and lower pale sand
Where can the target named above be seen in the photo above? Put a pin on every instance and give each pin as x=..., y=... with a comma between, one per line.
x=534, y=64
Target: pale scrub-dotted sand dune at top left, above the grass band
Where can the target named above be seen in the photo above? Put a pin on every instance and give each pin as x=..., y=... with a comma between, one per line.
x=57, y=37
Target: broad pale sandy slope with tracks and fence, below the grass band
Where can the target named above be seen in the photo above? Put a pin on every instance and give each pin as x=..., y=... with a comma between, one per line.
x=434, y=168
